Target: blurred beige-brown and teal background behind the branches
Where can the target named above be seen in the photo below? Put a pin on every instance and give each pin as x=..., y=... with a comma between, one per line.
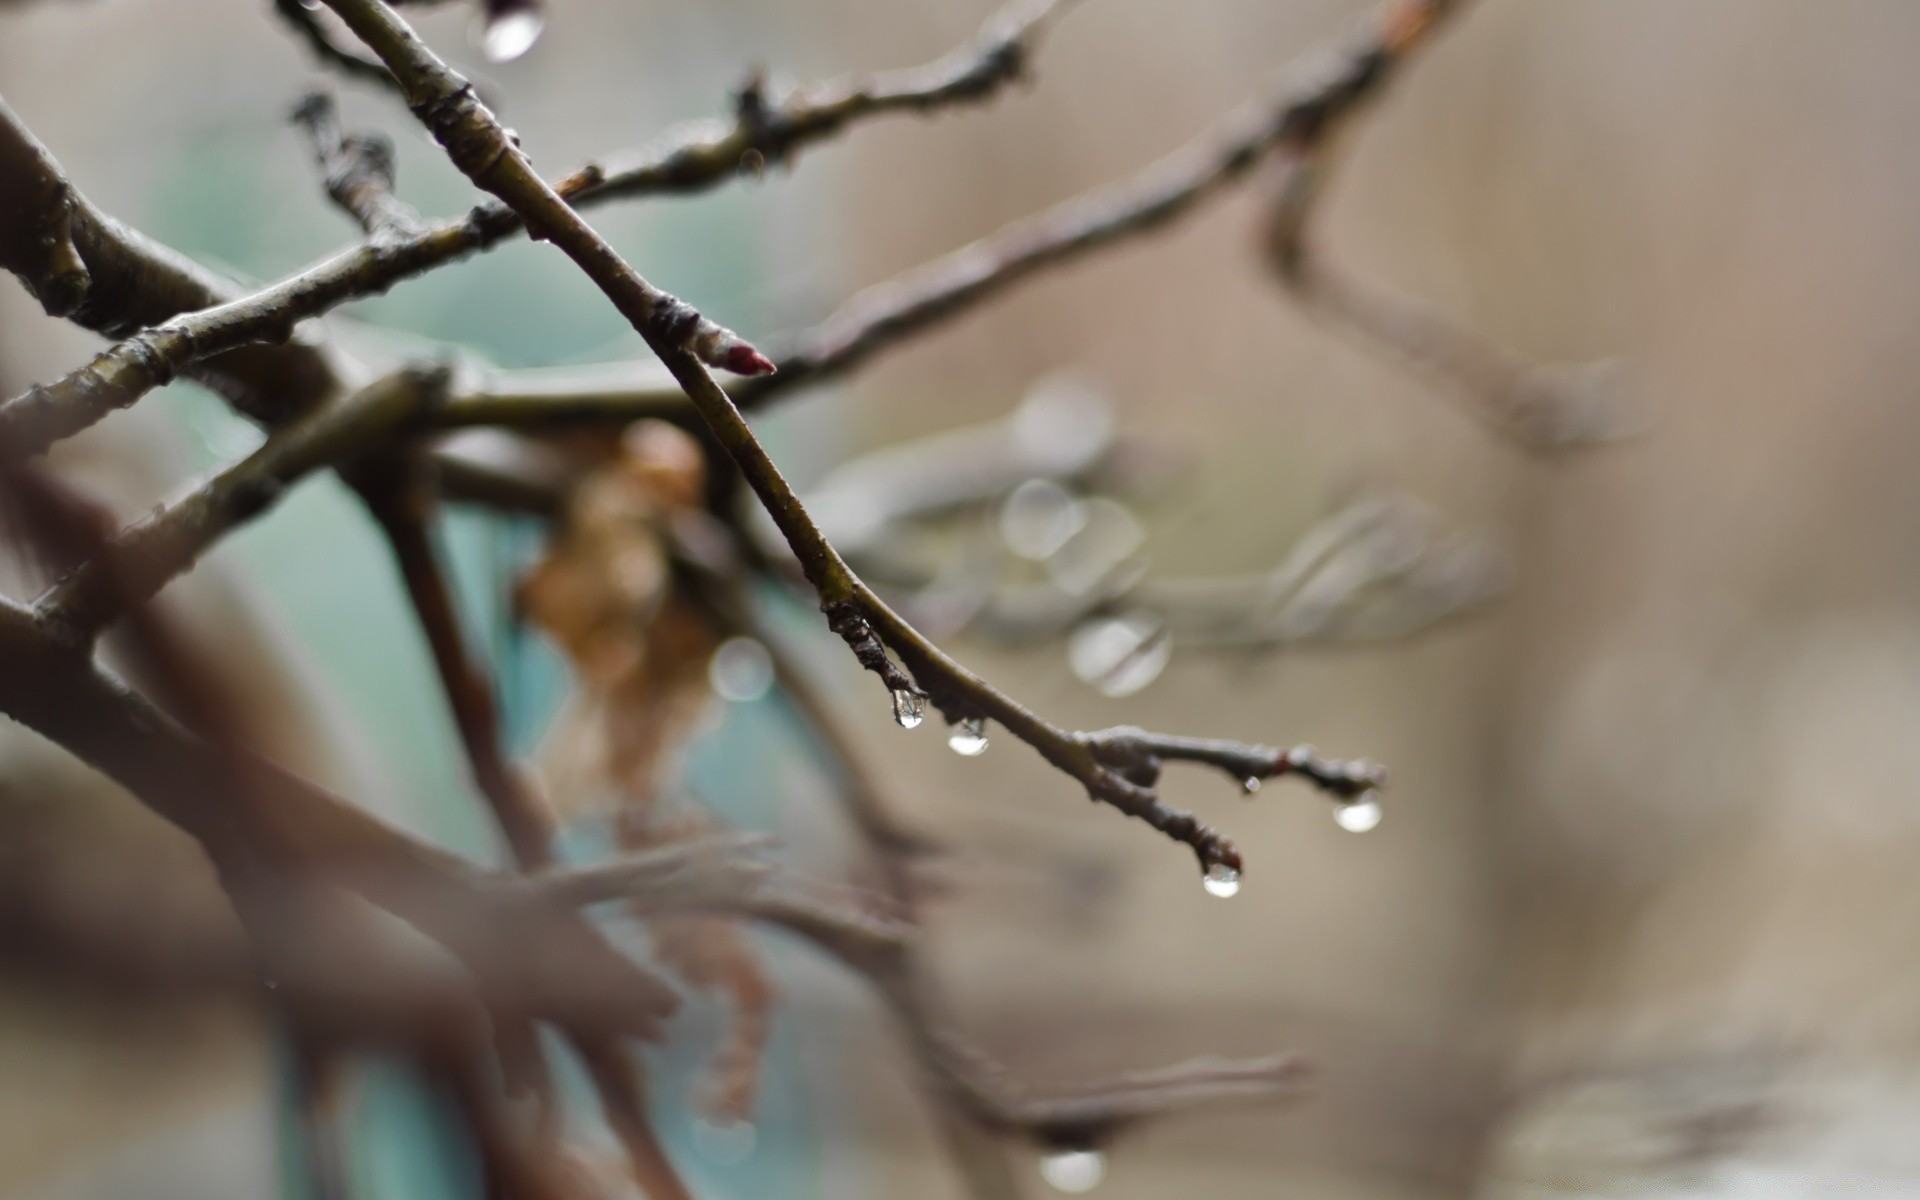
x=1641, y=915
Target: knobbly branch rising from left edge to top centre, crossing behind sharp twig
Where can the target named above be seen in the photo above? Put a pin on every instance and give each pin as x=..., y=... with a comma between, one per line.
x=224, y=320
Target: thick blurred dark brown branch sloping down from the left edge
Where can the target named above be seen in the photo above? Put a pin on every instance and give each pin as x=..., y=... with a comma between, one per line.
x=260, y=825
